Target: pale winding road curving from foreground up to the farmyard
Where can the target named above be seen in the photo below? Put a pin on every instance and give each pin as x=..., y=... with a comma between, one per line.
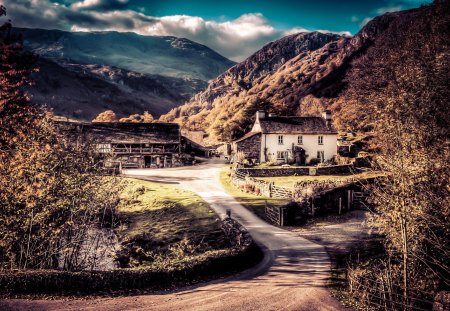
x=292, y=276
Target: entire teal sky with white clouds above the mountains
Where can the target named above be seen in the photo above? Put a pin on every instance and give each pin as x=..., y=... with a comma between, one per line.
x=233, y=28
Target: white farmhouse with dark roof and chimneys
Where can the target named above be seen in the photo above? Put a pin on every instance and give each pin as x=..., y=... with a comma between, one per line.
x=299, y=140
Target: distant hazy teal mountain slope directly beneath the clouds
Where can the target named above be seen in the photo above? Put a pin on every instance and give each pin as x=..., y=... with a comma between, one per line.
x=168, y=56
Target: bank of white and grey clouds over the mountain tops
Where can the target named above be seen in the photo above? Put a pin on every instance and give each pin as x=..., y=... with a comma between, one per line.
x=235, y=39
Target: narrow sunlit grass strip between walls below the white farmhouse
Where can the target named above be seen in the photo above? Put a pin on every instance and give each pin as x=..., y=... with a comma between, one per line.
x=289, y=181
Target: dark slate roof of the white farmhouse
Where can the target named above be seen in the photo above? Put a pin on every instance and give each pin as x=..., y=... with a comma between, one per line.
x=296, y=125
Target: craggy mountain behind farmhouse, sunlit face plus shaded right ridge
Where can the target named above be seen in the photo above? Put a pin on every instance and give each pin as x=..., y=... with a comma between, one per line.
x=309, y=75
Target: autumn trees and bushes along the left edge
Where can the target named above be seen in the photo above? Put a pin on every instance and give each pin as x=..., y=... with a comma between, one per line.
x=50, y=193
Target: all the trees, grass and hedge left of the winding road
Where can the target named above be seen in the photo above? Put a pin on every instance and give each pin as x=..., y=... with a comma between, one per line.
x=57, y=209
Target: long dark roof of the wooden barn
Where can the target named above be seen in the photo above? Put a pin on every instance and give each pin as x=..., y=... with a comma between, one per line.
x=117, y=132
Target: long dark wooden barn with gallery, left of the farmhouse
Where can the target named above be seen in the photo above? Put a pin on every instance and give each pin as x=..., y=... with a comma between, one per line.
x=132, y=145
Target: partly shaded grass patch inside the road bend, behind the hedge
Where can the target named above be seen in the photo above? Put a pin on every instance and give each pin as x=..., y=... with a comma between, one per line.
x=164, y=223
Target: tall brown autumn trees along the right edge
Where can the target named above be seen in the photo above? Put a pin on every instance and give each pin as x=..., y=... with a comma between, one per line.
x=400, y=89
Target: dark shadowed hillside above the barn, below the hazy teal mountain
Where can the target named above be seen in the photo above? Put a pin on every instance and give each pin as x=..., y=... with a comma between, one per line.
x=83, y=91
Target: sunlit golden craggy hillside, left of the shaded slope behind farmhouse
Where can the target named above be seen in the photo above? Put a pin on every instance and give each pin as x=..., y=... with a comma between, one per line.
x=226, y=107
